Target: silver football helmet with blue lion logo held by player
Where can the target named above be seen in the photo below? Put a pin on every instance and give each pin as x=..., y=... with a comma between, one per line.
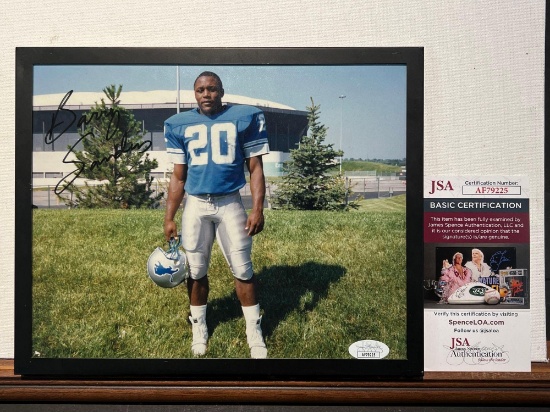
x=168, y=268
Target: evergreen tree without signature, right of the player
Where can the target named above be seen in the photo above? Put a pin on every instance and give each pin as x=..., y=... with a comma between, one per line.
x=310, y=181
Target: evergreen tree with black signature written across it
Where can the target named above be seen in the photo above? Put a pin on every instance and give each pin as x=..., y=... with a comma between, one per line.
x=113, y=157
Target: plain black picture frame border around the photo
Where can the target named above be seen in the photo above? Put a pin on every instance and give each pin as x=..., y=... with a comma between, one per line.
x=236, y=369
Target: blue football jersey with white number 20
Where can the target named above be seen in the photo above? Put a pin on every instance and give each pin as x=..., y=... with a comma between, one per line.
x=214, y=148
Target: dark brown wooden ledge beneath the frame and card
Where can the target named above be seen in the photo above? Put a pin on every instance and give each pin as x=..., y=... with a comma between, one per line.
x=488, y=388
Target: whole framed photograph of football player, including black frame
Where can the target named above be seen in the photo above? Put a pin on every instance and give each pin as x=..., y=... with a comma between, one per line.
x=134, y=169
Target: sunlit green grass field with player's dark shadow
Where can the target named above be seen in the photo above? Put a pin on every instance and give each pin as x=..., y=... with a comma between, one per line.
x=326, y=280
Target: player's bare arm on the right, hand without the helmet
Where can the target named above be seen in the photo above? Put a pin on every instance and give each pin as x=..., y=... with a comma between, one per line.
x=255, y=223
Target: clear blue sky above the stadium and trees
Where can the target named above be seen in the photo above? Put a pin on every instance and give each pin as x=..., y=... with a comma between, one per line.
x=371, y=119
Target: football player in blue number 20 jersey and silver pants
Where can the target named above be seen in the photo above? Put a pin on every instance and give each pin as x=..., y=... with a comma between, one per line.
x=209, y=147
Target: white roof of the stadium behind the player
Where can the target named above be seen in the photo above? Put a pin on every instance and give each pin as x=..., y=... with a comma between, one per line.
x=155, y=97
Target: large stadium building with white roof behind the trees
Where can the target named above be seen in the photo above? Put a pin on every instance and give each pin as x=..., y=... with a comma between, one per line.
x=285, y=127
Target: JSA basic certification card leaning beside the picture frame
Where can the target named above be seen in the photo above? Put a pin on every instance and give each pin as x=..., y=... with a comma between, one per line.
x=476, y=274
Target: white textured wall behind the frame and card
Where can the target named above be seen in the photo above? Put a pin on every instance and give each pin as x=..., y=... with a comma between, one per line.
x=484, y=80
